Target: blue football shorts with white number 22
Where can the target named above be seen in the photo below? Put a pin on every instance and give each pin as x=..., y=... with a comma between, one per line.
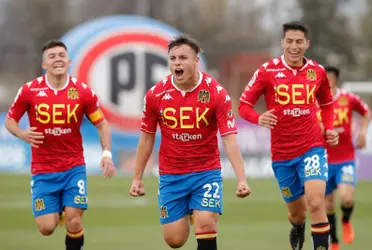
x=180, y=194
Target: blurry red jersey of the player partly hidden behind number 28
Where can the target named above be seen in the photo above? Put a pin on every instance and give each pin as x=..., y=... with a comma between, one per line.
x=345, y=104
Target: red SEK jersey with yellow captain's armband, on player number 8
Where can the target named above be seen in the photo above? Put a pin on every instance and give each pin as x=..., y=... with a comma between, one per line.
x=58, y=115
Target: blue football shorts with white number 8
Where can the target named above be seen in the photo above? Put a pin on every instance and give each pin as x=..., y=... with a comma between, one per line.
x=52, y=192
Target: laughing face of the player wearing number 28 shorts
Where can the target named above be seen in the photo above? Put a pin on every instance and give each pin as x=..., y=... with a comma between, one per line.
x=294, y=45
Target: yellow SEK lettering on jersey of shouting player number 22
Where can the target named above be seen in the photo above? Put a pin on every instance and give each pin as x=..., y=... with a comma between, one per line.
x=186, y=117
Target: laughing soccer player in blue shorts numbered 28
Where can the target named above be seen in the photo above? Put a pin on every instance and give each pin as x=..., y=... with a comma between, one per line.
x=292, y=86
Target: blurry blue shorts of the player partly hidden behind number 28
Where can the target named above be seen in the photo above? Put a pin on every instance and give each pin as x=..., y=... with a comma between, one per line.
x=341, y=173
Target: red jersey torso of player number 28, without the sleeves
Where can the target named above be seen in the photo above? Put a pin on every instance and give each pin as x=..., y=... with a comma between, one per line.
x=292, y=93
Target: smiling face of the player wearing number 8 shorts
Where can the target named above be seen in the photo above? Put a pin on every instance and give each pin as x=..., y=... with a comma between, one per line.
x=56, y=61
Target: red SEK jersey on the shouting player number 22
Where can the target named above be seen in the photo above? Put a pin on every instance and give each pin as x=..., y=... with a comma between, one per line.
x=189, y=122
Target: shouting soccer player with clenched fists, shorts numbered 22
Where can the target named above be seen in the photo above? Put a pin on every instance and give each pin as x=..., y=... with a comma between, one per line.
x=190, y=107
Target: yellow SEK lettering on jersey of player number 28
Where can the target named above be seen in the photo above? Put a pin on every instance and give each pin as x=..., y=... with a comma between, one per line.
x=295, y=94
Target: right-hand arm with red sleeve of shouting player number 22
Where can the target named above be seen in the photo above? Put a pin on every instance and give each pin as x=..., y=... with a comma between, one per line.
x=228, y=131
